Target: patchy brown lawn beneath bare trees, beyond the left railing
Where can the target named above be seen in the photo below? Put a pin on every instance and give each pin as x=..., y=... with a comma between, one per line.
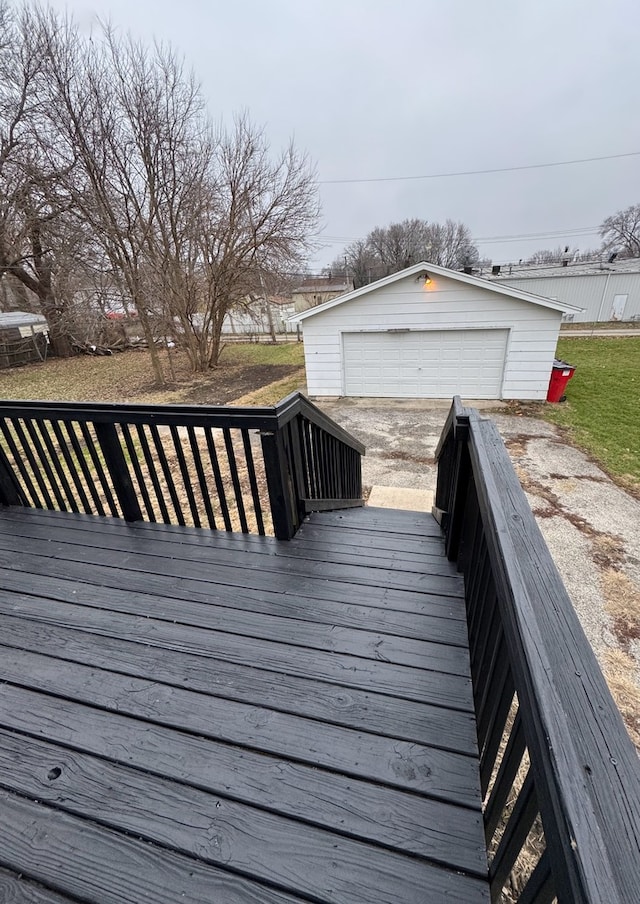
x=244, y=369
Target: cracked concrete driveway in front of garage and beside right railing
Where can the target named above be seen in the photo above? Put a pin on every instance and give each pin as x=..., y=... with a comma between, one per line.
x=591, y=525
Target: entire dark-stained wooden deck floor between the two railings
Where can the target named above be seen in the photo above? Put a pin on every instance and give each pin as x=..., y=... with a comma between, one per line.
x=198, y=717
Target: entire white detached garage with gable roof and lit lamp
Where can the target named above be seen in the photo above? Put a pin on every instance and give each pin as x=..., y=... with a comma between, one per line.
x=428, y=332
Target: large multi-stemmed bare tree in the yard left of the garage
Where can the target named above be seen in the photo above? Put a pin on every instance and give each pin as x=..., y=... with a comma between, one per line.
x=191, y=221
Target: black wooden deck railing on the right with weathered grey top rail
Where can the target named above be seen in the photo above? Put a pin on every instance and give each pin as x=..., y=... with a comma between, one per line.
x=559, y=773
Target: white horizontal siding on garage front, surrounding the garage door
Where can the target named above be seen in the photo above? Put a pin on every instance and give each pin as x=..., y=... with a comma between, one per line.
x=447, y=304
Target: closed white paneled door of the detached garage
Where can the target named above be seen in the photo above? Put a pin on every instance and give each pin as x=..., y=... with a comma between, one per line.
x=425, y=364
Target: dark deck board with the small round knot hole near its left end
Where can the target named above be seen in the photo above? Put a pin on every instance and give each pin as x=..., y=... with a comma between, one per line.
x=247, y=839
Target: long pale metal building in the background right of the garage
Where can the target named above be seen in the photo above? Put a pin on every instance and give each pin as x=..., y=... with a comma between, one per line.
x=605, y=291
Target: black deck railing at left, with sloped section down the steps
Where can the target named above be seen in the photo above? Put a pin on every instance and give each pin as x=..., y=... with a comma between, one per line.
x=236, y=469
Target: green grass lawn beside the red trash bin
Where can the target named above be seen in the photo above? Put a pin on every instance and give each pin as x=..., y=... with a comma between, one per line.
x=602, y=411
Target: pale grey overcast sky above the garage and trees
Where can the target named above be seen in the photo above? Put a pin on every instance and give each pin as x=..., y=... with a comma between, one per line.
x=377, y=89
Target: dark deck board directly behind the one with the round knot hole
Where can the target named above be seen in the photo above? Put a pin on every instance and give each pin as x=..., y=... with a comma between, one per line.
x=387, y=816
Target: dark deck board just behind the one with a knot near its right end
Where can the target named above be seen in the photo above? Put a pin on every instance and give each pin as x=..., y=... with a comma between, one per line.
x=32, y=648
